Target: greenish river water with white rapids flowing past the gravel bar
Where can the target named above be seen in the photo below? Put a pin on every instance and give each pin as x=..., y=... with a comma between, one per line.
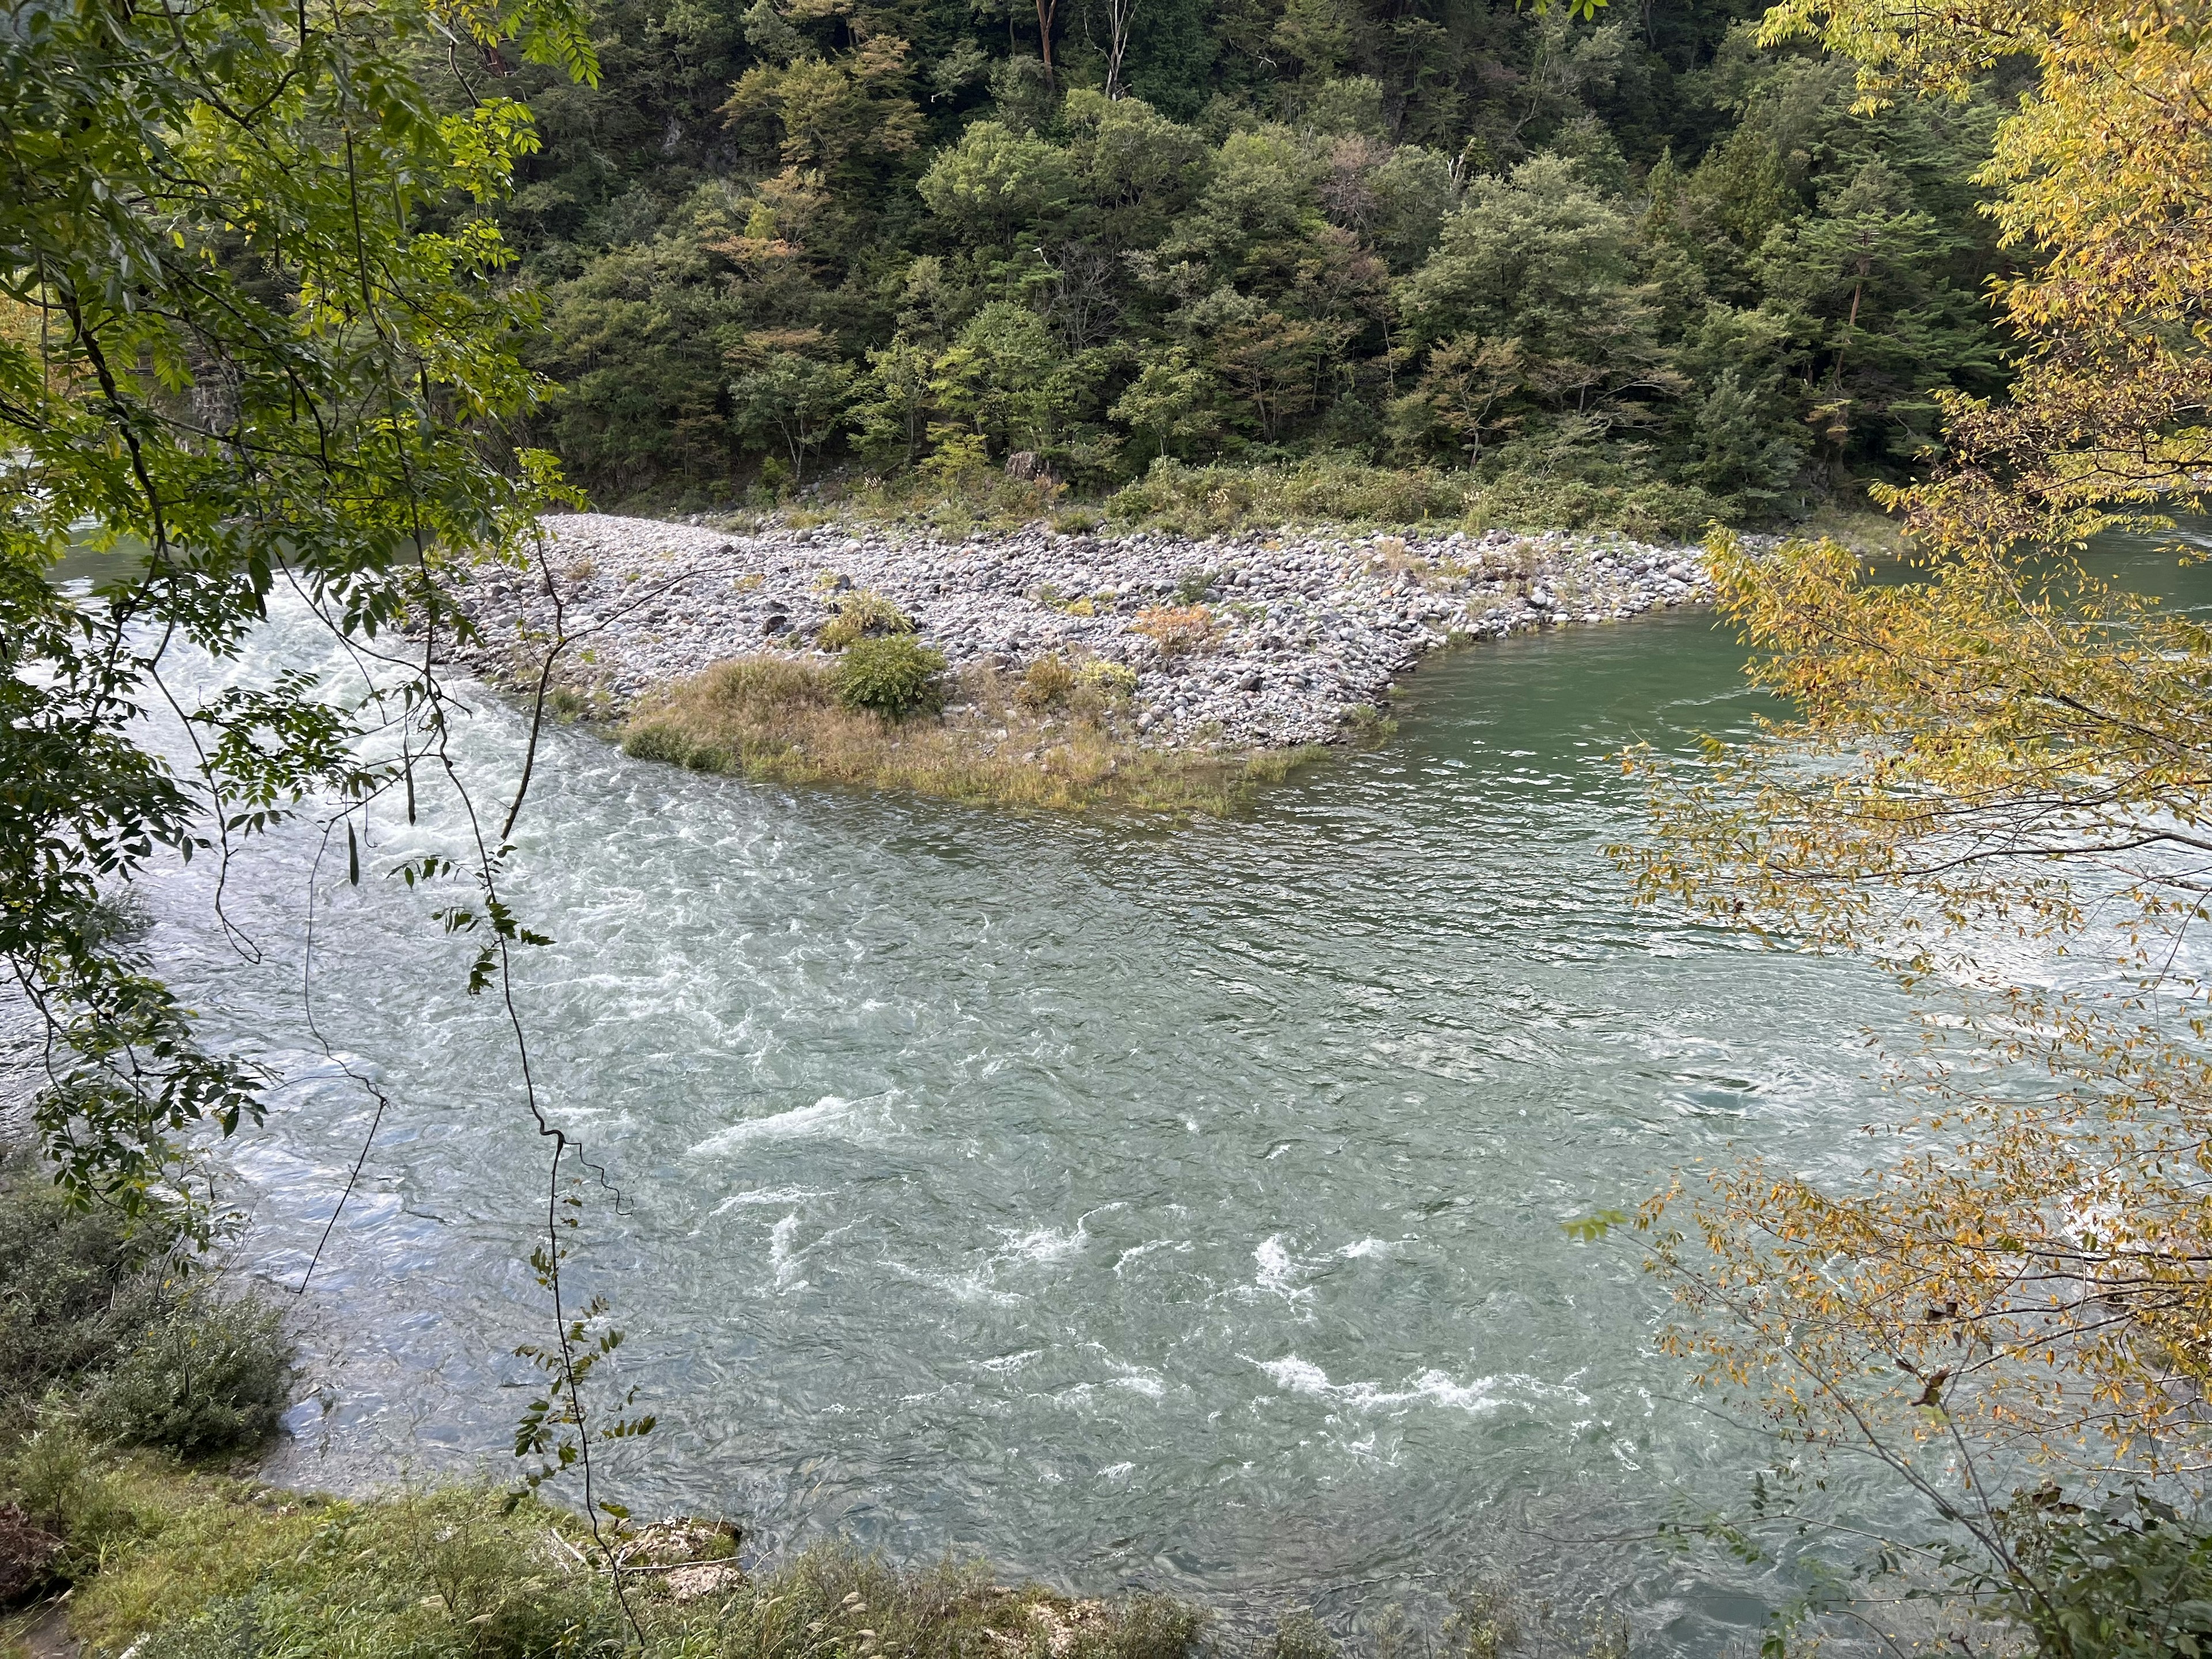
x=1131, y=1204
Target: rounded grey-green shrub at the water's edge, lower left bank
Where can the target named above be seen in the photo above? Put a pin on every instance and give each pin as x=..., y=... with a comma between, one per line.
x=207, y=1379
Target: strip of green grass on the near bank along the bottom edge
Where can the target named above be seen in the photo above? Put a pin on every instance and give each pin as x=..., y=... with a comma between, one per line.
x=222, y=1569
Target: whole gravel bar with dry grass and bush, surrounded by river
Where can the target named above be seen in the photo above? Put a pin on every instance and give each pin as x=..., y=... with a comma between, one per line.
x=1036, y=667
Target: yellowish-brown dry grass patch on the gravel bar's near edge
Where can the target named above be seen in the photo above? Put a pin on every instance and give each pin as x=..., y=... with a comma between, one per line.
x=997, y=740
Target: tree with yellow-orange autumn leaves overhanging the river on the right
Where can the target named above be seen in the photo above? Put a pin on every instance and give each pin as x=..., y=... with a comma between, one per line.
x=2001, y=762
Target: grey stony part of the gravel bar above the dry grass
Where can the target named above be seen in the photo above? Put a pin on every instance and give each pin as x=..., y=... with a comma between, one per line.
x=1253, y=643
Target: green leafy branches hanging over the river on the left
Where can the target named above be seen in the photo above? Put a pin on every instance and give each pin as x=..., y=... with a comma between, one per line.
x=255, y=335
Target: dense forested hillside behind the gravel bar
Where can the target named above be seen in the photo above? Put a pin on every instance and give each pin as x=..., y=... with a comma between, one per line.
x=1618, y=267
